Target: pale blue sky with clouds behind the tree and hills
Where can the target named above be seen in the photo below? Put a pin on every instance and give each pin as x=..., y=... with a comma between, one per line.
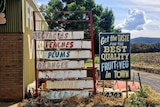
x=140, y=18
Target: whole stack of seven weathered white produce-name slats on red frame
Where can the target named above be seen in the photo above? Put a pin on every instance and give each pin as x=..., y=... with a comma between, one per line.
x=60, y=62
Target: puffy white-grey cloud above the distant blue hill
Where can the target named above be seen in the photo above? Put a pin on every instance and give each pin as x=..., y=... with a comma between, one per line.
x=135, y=21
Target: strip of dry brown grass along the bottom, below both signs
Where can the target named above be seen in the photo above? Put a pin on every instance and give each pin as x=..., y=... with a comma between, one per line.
x=152, y=100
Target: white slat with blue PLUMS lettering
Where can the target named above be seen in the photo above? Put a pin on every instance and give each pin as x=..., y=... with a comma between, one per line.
x=64, y=54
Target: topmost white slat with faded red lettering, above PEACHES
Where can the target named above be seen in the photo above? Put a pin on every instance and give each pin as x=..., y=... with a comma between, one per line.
x=57, y=35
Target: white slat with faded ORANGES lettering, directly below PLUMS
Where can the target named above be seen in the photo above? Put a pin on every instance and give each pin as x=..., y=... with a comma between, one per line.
x=62, y=64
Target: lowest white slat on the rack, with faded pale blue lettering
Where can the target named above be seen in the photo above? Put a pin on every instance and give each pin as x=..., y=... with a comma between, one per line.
x=65, y=94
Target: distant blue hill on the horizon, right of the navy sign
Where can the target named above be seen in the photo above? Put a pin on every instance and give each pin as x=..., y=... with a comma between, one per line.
x=146, y=40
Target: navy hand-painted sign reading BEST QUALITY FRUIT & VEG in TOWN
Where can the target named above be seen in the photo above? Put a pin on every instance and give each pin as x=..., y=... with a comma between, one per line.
x=114, y=56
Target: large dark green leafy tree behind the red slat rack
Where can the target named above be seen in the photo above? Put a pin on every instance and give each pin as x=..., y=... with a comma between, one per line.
x=103, y=20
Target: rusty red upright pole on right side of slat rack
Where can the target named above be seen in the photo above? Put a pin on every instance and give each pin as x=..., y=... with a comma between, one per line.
x=92, y=39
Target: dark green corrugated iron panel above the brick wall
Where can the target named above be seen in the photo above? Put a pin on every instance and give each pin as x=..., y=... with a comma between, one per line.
x=13, y=16
